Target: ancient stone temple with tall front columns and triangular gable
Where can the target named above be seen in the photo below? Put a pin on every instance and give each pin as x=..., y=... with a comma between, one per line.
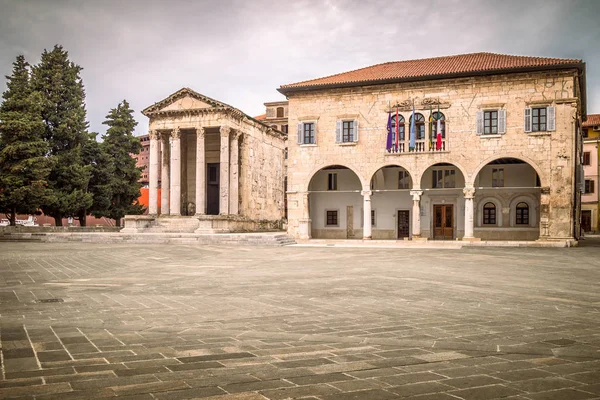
x=219, y=168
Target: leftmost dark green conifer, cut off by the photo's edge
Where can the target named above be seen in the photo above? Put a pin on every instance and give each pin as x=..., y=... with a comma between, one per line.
x=24, y=166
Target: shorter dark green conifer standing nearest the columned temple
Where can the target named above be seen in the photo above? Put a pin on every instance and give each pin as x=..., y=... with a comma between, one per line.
x=119, y=143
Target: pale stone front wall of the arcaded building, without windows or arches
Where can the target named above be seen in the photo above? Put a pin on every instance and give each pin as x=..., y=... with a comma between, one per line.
x=551, y=154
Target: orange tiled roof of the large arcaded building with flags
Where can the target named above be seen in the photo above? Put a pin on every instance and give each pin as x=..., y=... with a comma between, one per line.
x=428, y=68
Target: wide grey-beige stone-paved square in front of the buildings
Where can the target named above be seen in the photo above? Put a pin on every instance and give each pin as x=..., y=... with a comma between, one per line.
x=81, y=321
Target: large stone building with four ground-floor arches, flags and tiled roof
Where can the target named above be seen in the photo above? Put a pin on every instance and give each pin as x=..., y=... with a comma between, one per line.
x=502, y=168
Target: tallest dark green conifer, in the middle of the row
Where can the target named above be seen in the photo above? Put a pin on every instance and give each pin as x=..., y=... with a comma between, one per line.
x=63, y=112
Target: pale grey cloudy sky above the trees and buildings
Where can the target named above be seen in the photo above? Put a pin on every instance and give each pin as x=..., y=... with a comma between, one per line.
x=240, y=51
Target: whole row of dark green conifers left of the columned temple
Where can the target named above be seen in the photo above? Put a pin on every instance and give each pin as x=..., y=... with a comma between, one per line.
x=49, y=160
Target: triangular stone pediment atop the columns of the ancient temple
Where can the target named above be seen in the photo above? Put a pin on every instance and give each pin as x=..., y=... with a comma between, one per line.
x=185, y=100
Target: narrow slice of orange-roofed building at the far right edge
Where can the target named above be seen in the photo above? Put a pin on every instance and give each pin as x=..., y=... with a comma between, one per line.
x=590, y=199
